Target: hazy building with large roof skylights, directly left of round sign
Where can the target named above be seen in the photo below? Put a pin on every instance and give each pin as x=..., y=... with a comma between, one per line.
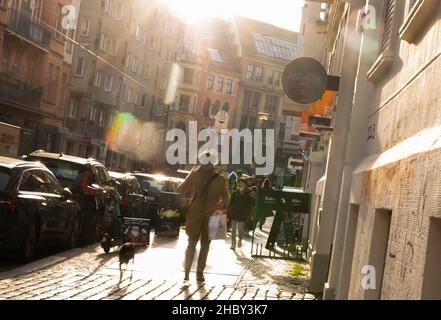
x=264, y=51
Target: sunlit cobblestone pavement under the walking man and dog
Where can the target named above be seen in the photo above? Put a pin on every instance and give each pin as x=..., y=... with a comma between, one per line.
x=89, y=274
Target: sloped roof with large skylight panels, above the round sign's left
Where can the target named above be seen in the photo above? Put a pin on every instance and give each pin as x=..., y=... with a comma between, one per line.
x=263, y=39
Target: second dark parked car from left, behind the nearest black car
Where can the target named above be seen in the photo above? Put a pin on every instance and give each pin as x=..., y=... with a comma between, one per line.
x=91, y=185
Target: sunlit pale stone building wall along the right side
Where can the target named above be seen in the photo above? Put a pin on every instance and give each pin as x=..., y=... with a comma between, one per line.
x=383, y=224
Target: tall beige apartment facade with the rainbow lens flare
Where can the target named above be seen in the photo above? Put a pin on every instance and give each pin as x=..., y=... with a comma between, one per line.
x=107, y=103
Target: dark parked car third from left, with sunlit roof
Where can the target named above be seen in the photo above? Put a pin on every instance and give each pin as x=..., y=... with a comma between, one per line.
x=134, y=203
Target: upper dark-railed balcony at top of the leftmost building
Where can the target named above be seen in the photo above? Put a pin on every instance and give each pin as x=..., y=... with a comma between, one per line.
x=22, y=24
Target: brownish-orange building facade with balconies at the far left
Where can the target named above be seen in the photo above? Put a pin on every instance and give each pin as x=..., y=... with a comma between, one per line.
x=34, y=71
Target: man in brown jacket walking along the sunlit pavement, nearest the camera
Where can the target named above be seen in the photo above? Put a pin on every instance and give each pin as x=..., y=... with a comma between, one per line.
x=206, y=189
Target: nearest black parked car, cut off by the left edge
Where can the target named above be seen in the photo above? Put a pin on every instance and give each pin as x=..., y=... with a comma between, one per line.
x=35, y=210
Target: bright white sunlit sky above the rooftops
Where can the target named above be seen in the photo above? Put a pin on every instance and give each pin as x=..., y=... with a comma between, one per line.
x=282, y=13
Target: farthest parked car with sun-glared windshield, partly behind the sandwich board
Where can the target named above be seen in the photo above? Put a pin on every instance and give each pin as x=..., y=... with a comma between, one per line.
x=158, y=187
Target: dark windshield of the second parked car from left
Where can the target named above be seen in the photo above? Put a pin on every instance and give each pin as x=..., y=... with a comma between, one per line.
x=69, y=174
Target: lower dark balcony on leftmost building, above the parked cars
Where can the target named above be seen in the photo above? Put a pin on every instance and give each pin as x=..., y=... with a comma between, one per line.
x=19, y=92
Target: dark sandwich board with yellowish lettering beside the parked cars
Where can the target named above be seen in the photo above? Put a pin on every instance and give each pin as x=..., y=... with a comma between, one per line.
x=168, y=222
